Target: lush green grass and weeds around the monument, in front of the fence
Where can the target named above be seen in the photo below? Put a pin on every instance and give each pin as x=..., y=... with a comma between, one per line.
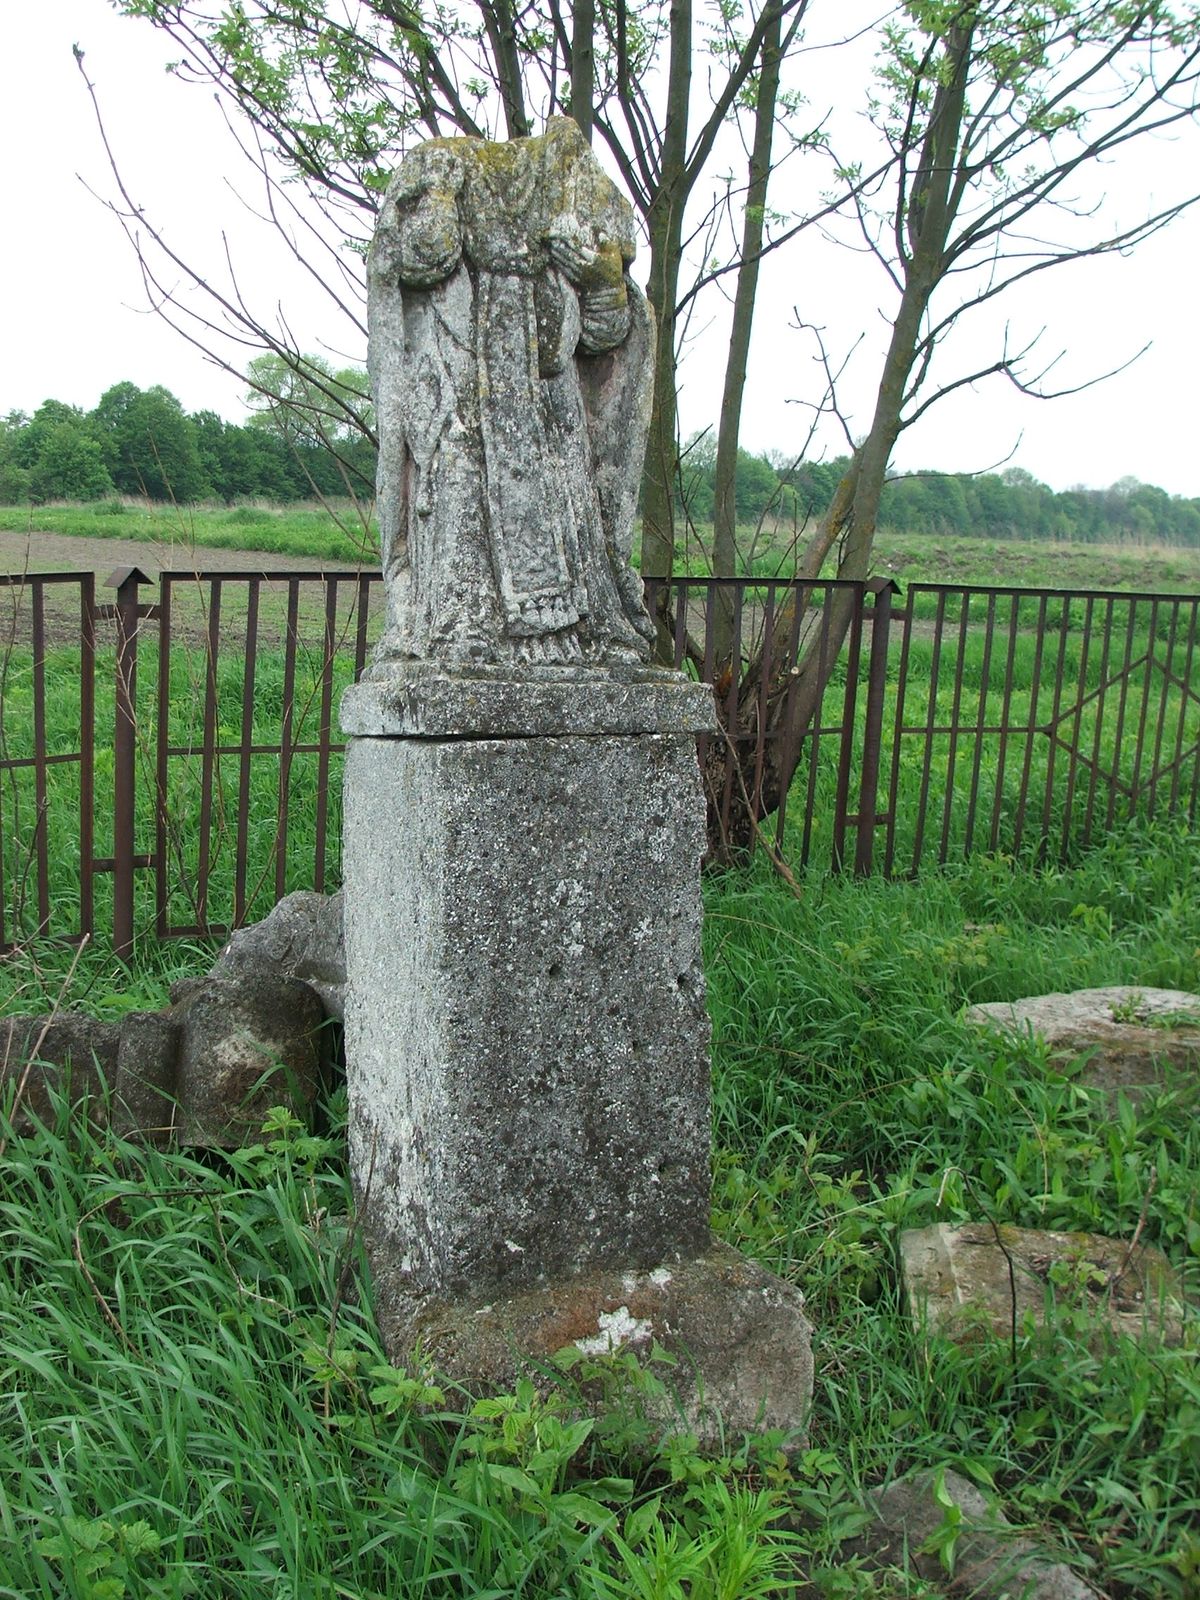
x=196, y=1401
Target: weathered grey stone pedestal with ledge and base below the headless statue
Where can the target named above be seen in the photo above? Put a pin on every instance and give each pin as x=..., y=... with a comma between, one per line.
x=527, y=1041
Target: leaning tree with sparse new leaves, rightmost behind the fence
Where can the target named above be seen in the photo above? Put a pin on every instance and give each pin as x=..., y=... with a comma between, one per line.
x=996, y=114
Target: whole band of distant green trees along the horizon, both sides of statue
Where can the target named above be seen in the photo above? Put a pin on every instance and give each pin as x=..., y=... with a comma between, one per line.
x=142, y=442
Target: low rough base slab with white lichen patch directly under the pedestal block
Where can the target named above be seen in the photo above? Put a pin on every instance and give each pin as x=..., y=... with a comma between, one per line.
x=738, y=1334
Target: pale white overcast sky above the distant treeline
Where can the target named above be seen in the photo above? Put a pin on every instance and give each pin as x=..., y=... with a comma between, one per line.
x=76, y=318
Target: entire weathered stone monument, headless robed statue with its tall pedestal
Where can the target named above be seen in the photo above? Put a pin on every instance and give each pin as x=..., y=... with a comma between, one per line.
x=526, y=1030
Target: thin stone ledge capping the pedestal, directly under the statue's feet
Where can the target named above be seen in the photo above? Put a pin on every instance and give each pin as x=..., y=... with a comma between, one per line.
x=423, y=702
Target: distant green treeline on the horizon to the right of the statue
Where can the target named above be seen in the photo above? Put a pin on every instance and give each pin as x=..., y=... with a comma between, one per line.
x=1010, y=505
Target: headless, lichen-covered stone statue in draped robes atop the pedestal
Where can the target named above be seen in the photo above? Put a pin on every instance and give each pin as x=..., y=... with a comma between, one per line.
x=513, y=364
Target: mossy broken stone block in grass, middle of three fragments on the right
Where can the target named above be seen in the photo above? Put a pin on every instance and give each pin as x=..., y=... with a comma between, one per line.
x=972, y=1279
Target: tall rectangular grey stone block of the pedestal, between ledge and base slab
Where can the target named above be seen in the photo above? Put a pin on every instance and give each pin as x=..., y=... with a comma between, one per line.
x=526, y=1026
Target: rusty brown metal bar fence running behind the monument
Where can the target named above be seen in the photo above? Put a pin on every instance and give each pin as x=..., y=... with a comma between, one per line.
x=172, y=766
